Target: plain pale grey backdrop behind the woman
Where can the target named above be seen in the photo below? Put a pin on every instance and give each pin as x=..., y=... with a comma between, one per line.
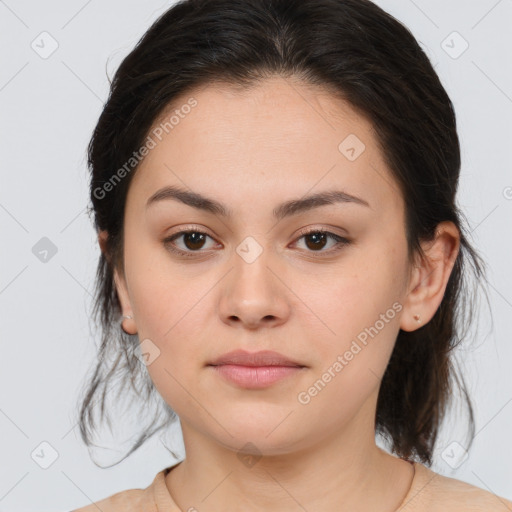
x=55, y=56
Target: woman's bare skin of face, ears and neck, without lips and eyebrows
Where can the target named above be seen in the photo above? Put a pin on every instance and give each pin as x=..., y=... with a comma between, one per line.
x=252, y=150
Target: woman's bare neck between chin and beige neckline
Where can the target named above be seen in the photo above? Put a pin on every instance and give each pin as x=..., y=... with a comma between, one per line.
x=346, y=467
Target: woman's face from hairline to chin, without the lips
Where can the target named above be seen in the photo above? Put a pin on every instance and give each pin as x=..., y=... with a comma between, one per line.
x=251, y=277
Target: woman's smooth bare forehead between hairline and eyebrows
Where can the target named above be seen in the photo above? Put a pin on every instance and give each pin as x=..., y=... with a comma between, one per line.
x=277, y=137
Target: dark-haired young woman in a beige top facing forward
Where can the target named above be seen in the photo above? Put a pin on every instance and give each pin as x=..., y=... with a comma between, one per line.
x=273, y=187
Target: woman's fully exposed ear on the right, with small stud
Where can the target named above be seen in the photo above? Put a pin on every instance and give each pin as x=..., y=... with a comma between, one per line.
x=430, y=276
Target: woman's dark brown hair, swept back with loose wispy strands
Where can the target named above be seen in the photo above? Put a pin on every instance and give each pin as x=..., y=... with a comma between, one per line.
x=366, y=57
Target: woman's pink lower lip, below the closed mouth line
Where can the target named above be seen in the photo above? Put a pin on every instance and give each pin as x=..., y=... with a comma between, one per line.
x=256, y=377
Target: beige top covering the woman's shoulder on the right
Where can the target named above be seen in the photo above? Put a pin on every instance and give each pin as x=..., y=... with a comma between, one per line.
x=434, y=492
